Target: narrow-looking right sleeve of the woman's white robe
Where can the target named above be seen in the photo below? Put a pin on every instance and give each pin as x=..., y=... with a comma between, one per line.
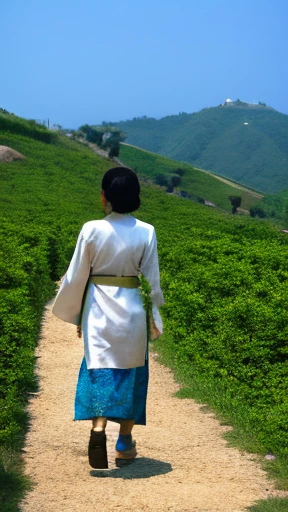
x=150, y=269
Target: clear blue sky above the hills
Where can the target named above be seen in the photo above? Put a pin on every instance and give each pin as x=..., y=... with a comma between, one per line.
x=87, y=61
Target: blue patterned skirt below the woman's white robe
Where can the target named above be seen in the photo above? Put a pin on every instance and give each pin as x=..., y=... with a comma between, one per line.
x=113, y=393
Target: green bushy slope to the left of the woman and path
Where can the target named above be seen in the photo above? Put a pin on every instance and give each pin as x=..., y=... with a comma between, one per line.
x=44, y=200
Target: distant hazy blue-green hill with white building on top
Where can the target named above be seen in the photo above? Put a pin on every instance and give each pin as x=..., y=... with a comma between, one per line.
x=243, y=142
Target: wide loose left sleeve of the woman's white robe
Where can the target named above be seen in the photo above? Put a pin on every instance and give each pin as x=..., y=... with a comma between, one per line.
x=68, y=302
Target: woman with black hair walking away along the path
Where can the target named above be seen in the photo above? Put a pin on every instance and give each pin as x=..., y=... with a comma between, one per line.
x=100, y=295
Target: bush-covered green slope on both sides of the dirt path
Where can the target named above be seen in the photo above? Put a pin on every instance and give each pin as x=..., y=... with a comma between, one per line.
x=224, y=279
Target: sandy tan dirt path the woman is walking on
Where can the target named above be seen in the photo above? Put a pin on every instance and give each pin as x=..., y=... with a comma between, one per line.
x=183, y=465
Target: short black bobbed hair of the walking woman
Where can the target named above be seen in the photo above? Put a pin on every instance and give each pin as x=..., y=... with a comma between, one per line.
x=121, y=188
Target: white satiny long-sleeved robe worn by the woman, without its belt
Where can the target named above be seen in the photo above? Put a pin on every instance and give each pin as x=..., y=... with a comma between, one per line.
x=113, y=319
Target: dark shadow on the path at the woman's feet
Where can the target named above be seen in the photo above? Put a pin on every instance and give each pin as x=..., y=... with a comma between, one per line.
x=142, y=467
